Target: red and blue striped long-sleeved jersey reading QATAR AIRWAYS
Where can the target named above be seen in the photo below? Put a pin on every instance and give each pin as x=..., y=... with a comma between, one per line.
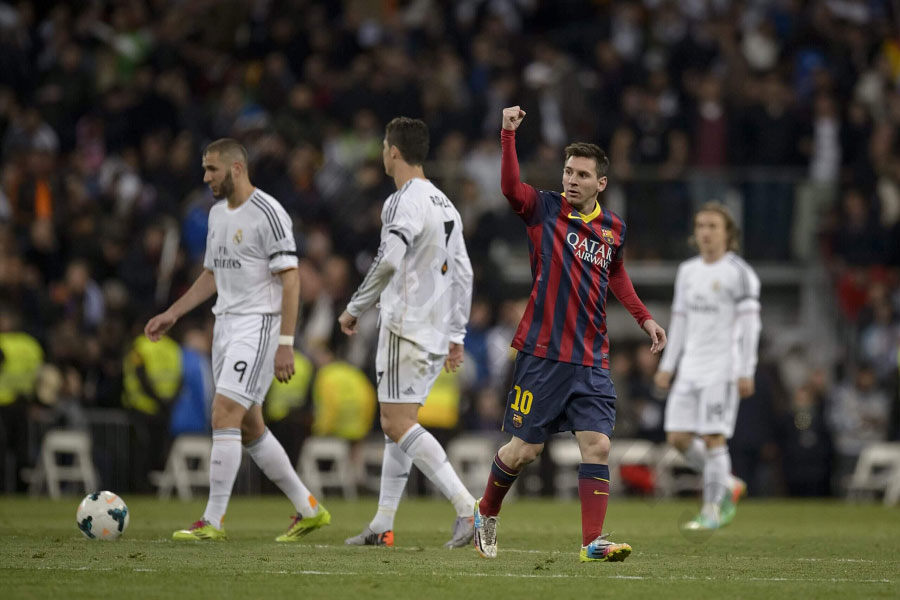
x=575, y=258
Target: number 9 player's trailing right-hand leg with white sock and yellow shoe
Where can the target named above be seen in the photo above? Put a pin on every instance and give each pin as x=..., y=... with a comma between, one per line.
x=269, y=455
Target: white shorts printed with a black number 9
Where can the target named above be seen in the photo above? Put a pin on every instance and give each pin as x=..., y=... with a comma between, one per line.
x=244, y=356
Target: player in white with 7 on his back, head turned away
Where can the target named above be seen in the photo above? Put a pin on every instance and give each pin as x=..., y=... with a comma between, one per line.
x=423, y=279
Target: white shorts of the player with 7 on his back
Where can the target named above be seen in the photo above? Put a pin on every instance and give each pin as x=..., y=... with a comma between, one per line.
x=405, y=372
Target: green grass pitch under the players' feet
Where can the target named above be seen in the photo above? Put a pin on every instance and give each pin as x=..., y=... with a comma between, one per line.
x=819, y=549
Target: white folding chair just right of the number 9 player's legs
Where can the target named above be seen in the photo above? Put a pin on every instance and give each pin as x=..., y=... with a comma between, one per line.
x=325, y=463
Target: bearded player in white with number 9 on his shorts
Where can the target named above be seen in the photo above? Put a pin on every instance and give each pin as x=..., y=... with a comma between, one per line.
x=251, y=263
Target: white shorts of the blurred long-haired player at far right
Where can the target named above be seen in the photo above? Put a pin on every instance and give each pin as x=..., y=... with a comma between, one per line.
x=707, y=409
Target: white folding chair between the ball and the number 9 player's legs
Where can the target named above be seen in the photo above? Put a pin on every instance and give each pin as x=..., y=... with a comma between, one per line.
x=187, y=466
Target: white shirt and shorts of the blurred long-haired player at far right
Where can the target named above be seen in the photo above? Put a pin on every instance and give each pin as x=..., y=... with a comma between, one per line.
x=712, y=341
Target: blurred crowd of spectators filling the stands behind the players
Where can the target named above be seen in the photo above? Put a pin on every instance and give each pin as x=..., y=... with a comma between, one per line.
x=105, y=107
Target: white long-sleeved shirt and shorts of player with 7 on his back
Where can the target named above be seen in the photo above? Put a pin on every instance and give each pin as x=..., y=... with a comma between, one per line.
x=423, y=277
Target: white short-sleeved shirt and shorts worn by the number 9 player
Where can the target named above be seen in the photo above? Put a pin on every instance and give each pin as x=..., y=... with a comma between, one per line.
x=245, y=249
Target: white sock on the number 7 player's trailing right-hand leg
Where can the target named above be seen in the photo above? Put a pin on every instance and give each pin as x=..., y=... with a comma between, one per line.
x=430, y=458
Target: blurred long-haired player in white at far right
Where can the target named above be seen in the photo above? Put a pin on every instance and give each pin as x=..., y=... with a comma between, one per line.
x=714, y=336
